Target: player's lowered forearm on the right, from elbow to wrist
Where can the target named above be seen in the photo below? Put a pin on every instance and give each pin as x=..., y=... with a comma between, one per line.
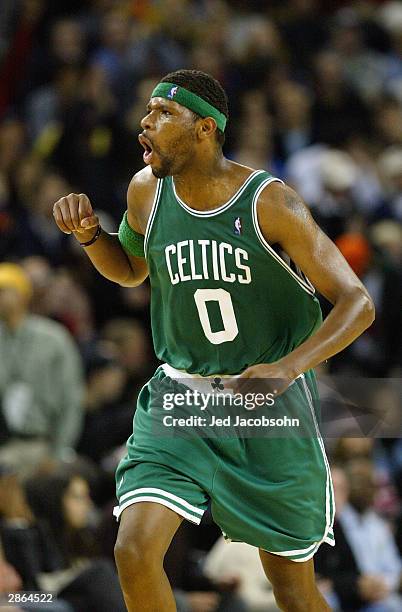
x=350, y=316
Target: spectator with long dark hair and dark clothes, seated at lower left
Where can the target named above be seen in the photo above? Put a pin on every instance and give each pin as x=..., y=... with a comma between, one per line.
x=87, y=581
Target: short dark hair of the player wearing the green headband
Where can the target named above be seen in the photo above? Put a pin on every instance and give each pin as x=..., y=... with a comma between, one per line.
x=205, y=86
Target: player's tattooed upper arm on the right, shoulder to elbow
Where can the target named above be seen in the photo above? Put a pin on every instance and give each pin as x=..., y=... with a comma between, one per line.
x=287, y=220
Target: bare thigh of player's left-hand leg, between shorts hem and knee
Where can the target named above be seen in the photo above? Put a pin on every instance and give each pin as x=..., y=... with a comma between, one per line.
x=146, y=528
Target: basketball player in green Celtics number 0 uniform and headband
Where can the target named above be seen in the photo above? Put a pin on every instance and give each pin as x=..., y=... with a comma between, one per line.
x=224, y=302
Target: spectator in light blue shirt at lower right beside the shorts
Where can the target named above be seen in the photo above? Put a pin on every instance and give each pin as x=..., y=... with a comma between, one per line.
x=365, y=566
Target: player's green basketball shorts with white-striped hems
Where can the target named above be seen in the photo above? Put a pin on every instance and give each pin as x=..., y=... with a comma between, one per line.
x=271, y=492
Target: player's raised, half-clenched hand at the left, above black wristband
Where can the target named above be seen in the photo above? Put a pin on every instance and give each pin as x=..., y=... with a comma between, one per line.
x=74, y=213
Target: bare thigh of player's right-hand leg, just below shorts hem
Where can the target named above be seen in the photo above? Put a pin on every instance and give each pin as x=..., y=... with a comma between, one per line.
x=286, y=574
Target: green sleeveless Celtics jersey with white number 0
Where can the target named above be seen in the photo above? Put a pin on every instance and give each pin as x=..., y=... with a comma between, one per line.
x=222, y=298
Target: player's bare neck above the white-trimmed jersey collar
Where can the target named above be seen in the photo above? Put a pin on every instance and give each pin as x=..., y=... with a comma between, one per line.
x=204, y=185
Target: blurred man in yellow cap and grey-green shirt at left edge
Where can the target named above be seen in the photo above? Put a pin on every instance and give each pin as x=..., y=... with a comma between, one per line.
x=40, y=380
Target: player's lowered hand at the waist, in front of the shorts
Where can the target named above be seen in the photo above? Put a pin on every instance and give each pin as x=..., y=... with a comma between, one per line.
x=263, y=378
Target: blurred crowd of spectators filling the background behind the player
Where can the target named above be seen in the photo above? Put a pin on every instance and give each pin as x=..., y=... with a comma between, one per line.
x=315, y=97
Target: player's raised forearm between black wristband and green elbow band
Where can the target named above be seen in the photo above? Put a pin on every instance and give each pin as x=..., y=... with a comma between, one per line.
x=110, y=260
